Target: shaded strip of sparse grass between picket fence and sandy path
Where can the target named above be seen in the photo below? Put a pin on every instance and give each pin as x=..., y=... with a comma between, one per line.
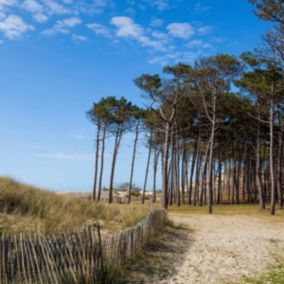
x=156, y=258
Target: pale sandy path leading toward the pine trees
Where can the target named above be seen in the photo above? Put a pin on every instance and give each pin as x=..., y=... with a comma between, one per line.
x=225, y=247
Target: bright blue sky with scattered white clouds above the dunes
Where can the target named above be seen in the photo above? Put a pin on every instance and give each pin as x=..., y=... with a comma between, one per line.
x=57, y=57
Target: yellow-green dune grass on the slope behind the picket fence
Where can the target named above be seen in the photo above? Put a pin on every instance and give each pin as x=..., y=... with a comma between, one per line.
x=24, y=208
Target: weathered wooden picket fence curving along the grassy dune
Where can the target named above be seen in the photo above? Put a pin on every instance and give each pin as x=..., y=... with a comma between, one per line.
x=78, y=256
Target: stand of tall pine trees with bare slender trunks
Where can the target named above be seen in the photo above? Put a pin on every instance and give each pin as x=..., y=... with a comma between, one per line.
x=216, y=127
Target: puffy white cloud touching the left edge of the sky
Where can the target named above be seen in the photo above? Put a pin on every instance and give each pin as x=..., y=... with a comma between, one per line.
x=14, y=26
